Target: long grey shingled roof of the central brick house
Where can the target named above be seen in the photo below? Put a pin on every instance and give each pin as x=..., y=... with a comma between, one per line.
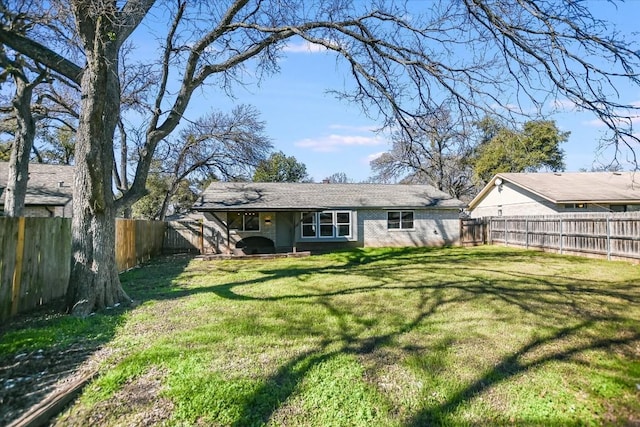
x=275, y=196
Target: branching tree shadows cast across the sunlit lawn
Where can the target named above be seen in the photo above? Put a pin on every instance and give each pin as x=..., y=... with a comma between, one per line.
x=469, y=274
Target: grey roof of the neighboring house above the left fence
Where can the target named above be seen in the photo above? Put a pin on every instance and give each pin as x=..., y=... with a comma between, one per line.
x=47, y=185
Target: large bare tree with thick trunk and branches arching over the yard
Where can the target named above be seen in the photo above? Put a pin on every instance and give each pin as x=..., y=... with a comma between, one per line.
x=403, y=58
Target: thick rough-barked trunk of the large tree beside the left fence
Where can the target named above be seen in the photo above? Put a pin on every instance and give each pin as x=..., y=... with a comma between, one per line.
x=94, y=282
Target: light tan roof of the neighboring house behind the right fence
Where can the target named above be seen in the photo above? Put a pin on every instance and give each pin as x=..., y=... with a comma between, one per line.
x=573, y=187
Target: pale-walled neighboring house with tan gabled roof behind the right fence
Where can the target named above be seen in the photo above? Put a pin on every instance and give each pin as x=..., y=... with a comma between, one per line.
x=512, y=194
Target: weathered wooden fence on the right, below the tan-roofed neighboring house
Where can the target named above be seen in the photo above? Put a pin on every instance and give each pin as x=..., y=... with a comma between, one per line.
x=614, y=236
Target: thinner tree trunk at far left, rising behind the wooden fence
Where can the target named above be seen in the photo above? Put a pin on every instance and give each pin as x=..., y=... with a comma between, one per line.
x=16, y=190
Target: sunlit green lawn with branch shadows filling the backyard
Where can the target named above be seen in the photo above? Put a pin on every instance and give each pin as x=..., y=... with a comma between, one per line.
x=389, y=337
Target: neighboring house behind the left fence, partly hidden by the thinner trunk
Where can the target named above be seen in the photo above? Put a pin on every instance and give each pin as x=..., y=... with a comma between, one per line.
x=49, y=190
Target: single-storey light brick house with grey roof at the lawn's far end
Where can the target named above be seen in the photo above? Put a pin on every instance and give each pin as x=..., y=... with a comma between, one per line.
x=266, y=217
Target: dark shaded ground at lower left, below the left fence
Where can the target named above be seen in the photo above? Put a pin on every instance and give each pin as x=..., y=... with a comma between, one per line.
x=42, y=349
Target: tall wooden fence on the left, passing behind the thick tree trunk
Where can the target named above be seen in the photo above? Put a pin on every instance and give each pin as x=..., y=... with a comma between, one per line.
x=35, y=257
